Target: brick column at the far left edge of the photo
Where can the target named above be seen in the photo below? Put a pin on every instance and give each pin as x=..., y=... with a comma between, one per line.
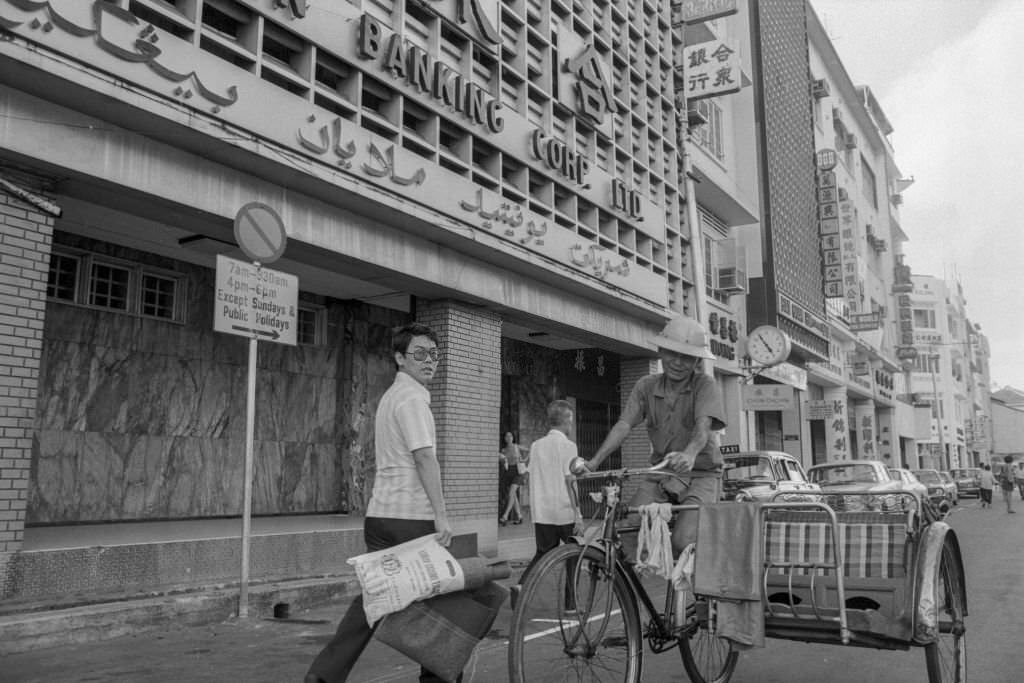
x=26, y=236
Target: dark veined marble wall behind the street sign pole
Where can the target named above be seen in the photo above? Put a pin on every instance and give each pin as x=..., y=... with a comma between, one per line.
x=145, y=419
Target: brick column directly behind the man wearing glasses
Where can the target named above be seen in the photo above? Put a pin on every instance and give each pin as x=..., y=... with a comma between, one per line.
x=466, y=396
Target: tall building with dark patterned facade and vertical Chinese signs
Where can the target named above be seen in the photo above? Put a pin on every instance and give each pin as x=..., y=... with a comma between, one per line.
x=830, y=242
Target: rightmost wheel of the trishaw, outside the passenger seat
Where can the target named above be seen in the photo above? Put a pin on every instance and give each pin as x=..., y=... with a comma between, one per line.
x=947, y=658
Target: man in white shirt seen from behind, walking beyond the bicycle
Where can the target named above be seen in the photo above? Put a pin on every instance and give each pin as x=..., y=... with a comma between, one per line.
x=553, y=502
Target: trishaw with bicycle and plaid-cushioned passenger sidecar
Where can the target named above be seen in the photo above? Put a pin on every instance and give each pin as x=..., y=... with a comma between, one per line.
x=894, y=581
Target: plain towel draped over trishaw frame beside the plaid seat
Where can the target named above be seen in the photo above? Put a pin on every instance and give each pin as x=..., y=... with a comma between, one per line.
x=729, y=568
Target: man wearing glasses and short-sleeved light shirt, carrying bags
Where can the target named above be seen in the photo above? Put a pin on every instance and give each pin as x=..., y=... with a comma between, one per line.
x=407, y=501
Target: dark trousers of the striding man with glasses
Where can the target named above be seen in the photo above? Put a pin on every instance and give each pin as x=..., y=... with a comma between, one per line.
x=335, y=662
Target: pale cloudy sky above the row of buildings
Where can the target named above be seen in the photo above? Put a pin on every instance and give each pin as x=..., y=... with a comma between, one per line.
x=947, y=75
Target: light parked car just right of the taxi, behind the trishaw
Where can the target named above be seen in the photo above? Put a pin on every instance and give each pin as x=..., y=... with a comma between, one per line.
x=858, y=486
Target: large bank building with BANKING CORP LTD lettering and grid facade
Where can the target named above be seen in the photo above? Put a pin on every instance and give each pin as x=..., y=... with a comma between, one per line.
x=511, y=176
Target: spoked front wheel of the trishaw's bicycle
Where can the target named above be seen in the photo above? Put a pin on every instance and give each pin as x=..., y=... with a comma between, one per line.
x=575, y=622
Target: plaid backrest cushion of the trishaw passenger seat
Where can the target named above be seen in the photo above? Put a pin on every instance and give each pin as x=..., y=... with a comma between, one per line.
x=874, y=545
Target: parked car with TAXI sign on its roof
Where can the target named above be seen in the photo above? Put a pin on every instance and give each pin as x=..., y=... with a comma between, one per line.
x=761, y=476
